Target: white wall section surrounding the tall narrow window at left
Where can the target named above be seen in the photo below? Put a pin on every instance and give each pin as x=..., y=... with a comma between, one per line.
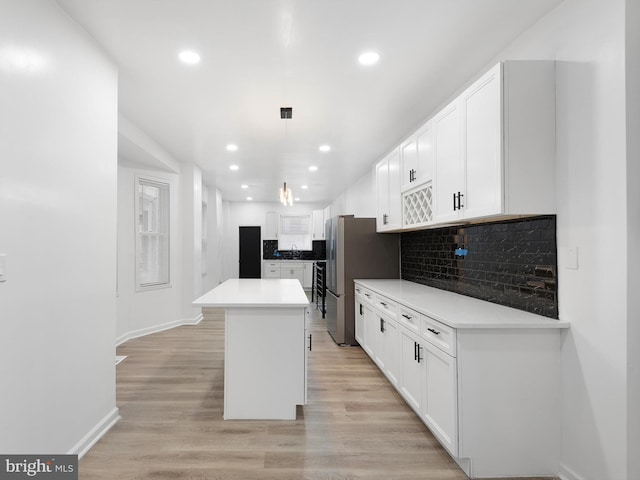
x=148, y=311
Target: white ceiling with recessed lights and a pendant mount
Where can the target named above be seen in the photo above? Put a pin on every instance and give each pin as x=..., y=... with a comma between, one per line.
x=260, y=55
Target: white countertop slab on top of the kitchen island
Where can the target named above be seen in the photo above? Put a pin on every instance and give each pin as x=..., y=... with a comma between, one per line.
x=255, y=292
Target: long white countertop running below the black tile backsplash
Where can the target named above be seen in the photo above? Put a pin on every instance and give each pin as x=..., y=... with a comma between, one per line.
x=457, y=311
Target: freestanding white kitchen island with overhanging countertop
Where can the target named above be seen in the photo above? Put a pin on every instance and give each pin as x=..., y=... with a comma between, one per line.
x=265, y=346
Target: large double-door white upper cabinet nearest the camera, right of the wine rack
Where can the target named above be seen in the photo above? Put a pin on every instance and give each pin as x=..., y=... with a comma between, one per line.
x=495, y=145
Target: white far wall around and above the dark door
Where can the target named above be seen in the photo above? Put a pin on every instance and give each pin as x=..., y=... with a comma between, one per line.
x=250, y=214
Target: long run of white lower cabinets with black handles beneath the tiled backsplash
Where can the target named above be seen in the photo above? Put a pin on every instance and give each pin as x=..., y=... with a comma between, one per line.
x=489, y=395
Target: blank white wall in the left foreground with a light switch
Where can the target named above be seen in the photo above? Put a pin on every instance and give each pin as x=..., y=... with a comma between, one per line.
x=58, y=188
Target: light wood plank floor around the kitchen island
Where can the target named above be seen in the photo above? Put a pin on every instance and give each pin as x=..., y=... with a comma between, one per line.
x=170, y=395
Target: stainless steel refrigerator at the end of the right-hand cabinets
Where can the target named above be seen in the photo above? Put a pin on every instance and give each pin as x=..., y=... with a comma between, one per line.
x=354, y=250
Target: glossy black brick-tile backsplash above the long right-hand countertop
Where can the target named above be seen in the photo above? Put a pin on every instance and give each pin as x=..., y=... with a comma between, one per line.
x=511, y=263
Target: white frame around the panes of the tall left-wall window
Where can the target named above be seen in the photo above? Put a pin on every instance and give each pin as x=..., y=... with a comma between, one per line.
x=164, y=231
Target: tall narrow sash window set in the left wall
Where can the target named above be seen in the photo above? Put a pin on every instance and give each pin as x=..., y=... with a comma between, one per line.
x=152, y=234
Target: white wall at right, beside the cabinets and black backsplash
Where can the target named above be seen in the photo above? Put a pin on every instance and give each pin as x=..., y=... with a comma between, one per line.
x=587, y=39
